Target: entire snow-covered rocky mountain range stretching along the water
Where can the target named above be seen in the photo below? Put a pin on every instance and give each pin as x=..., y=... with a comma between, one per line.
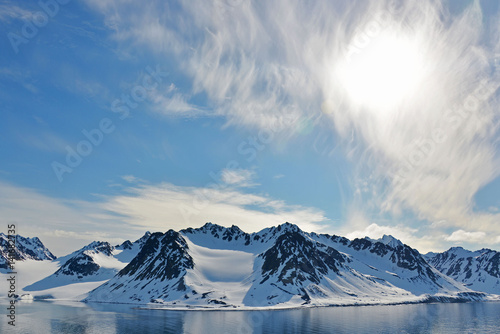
x=282, y=266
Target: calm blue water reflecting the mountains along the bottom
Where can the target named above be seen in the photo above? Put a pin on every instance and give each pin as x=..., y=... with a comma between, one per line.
x=51, y=317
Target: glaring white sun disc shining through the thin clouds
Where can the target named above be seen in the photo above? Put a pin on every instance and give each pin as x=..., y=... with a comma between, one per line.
x=386, y=71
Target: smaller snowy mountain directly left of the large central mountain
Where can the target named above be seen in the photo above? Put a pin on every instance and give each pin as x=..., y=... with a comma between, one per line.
x=98, y=261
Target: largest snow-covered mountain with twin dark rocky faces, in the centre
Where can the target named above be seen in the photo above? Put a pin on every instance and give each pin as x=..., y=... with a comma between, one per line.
x=280, y=266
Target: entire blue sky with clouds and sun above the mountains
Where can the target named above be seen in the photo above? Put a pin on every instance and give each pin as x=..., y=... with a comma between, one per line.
x=358, y=118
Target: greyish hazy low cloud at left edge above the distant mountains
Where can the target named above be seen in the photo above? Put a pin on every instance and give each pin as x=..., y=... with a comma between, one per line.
x=35, y=214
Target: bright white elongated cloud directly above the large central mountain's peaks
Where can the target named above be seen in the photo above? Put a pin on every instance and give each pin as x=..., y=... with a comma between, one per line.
x=165, y=206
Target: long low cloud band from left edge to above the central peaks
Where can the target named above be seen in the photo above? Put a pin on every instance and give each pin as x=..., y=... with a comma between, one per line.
x=65, y=225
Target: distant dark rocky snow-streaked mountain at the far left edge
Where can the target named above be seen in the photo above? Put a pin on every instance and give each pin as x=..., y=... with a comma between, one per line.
x=25, y=249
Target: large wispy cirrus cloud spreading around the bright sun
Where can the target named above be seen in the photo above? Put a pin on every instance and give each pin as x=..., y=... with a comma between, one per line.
x=426, y=151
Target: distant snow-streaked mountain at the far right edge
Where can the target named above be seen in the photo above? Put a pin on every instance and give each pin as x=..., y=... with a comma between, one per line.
x=479, y=270
